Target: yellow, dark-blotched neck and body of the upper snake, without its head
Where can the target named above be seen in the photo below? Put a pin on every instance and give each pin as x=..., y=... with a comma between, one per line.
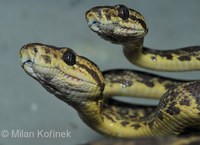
x=182, y=59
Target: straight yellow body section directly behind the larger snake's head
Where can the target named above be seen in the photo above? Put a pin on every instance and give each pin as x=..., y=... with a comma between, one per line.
x=121, y=82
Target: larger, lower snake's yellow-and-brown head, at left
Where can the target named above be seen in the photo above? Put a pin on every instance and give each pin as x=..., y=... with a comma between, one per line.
x=62, y=72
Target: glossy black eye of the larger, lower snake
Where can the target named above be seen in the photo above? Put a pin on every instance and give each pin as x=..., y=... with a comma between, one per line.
x=69, y=57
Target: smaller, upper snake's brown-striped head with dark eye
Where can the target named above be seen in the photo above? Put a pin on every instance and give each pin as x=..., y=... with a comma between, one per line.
x=116, y=23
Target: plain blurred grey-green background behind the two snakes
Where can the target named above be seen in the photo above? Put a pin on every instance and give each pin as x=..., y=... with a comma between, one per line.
x=25, y=105
